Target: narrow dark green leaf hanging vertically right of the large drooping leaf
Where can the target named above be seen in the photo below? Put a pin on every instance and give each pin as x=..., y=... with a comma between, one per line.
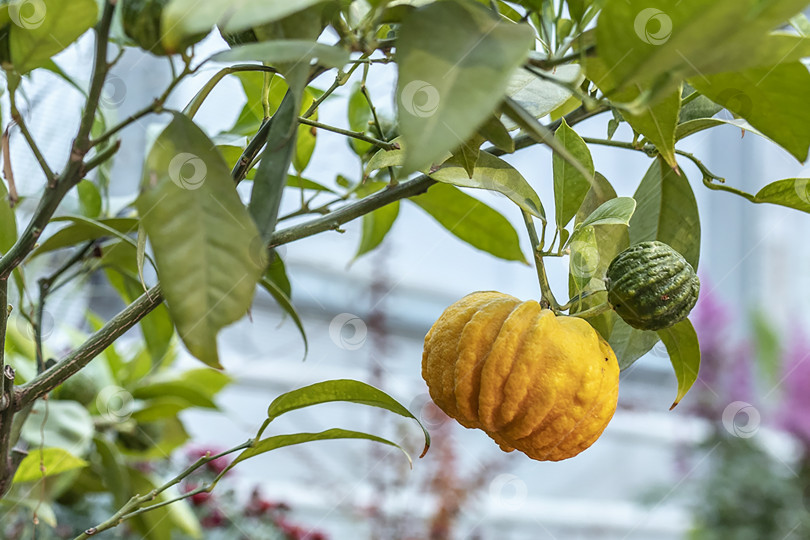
x=271, y=177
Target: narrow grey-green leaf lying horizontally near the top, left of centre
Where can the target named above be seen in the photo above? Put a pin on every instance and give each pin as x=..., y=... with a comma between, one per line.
x=286, y=50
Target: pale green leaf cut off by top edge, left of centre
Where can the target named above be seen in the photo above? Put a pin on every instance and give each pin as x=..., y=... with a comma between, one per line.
x=186, y=18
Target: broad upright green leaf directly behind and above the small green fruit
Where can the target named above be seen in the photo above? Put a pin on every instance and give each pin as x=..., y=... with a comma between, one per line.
x=667, y=211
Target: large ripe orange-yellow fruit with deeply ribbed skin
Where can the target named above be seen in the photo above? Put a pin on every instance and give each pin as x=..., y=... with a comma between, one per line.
x=534, y=382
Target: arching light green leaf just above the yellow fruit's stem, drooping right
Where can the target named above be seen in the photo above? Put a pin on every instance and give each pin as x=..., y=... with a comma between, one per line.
x=494, y=174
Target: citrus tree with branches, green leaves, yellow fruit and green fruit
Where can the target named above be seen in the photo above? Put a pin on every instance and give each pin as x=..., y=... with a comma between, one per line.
x=475, y=81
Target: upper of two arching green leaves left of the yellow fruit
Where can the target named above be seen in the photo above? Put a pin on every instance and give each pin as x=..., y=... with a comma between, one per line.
x=346, y=390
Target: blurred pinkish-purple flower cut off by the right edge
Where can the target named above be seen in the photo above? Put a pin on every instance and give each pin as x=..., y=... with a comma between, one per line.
x=794, y=411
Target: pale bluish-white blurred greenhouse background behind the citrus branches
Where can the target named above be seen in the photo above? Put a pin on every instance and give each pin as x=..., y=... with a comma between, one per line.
x=729, y=462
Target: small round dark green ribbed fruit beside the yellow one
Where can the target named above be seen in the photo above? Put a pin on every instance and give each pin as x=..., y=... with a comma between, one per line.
x=651, y=286
